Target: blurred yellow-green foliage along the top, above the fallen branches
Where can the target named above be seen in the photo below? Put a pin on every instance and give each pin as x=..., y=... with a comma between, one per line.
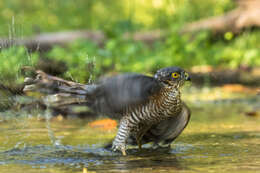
x=19, y=18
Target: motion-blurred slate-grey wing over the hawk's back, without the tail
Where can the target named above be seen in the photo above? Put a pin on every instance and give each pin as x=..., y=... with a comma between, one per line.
x=116, y=93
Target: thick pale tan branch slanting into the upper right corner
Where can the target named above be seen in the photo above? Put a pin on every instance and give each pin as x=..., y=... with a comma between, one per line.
x=246, y=15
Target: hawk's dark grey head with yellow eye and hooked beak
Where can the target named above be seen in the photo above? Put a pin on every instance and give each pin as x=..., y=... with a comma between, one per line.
x=172, y=76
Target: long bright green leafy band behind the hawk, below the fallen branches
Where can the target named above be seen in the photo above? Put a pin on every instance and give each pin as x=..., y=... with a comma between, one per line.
x=119, y=55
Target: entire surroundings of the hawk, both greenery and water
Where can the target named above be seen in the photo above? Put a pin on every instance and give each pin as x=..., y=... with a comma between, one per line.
x=216, y=41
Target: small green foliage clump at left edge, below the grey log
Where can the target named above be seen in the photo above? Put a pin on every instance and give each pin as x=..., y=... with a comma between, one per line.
x=12, y=59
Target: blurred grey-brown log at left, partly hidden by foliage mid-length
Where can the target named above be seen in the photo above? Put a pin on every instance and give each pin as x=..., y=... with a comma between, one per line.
x=44, y=42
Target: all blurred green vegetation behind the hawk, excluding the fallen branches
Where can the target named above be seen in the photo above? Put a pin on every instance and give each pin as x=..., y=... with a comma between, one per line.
x=83, y=60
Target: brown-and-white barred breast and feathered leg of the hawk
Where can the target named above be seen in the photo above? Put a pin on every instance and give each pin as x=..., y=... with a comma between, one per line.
x=161, y=106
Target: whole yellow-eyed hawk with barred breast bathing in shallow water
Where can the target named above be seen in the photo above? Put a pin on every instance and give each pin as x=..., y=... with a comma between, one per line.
x=149, y=108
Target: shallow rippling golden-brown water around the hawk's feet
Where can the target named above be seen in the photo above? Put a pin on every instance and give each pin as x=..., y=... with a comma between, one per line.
x=219, y=138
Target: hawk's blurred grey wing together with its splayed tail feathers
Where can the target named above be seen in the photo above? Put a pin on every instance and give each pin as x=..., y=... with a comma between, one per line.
x=110, y=96
